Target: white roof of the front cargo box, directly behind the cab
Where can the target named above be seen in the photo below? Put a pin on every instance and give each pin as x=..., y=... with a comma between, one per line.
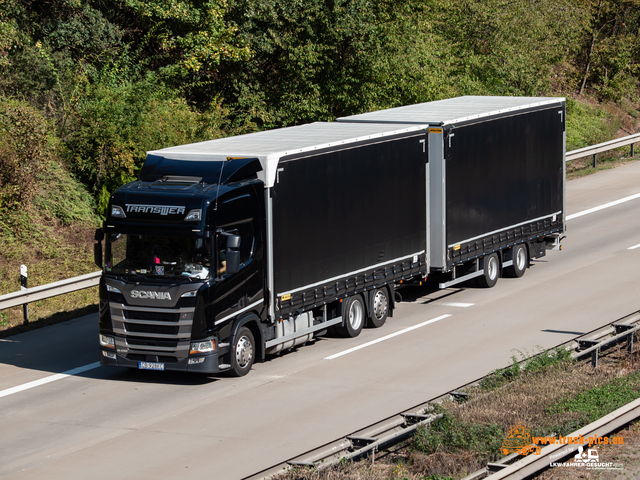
x=271, y=145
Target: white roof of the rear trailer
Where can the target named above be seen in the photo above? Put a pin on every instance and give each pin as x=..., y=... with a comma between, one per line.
x=452, y=110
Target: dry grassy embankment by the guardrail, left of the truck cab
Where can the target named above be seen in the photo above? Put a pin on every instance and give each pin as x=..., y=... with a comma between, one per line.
x=54, y=239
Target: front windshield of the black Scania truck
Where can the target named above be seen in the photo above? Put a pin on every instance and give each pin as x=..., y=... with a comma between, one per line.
x=127, y=254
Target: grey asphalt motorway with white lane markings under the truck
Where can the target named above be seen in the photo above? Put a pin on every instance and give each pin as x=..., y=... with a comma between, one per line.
x=113, y=423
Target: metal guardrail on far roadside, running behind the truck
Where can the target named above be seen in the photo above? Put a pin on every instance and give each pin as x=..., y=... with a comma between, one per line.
x=92, y=279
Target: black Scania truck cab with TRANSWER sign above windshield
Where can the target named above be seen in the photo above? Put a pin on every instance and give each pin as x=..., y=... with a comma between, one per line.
x=183, y=252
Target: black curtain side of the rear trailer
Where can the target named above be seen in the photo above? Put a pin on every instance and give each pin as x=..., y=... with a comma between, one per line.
x=504, y=182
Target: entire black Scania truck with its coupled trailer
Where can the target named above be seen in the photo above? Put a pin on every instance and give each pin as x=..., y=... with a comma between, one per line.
x=229, y=250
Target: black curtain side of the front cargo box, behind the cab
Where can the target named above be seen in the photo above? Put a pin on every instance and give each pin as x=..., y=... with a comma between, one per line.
x=347, y=220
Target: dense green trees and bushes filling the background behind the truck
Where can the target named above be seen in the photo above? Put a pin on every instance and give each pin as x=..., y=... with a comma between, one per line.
x=103, y=82
